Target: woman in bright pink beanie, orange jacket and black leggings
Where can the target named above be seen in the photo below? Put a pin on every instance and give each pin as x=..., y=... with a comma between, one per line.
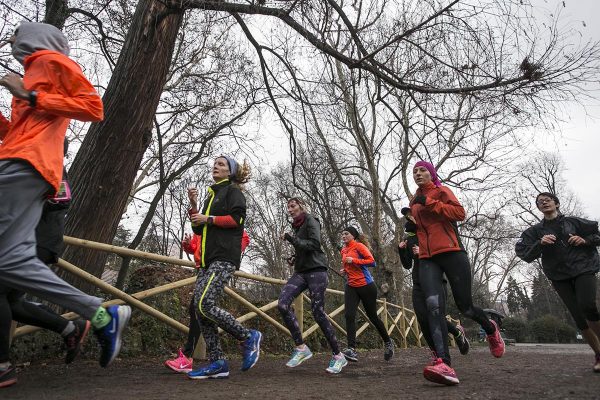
x=436, y=211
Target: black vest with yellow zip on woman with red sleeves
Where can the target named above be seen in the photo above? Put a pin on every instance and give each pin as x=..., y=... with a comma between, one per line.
x=222, y=244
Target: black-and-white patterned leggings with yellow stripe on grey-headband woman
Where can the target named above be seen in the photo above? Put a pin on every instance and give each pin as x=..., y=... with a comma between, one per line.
x=210, y=286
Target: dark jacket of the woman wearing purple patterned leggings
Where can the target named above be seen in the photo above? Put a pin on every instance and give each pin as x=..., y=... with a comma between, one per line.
x=307, y=245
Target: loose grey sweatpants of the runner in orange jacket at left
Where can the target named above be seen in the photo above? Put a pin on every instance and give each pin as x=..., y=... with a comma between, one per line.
x=22, y=192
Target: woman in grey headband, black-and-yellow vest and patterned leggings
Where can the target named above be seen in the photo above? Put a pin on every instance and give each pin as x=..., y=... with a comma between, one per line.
x=221, y=225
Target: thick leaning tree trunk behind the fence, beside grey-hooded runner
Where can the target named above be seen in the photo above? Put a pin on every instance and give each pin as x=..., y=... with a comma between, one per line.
x=108, y=160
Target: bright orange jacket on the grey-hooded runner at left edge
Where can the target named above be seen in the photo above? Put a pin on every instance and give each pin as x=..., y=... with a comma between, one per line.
x=37, y=135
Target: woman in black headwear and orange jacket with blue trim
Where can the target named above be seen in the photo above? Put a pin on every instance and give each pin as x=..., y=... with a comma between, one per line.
x=360, y=287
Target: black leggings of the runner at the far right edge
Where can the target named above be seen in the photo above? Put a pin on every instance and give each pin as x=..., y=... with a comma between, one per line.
x=579, y=295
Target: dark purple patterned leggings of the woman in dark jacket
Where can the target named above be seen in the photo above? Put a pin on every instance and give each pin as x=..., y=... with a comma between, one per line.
x=316, y=283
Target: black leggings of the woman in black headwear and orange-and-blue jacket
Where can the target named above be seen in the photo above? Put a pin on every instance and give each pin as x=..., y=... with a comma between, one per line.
x=368, y=295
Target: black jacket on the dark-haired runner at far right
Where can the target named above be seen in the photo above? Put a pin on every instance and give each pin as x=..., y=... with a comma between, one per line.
x=561, y=260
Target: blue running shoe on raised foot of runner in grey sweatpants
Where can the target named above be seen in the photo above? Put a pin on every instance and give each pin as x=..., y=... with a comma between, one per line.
x=109, y=336
